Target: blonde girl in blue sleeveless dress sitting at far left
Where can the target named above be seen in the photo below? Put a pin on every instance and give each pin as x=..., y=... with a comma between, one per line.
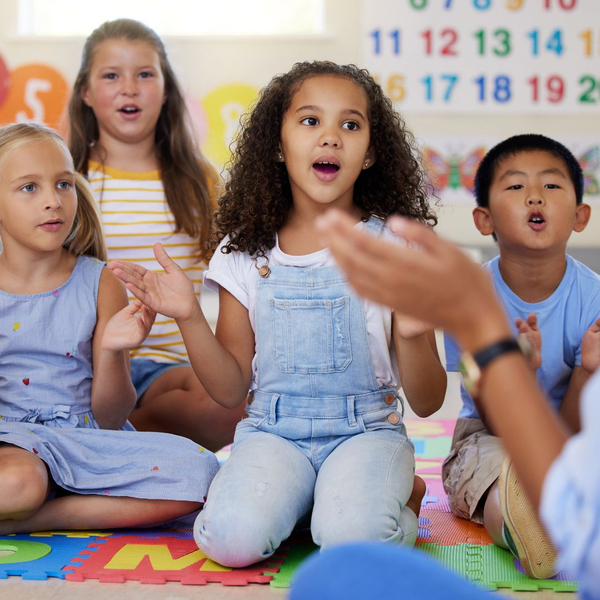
x=69, y=459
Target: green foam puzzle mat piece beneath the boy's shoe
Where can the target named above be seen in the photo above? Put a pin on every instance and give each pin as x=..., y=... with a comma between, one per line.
x=493, y=568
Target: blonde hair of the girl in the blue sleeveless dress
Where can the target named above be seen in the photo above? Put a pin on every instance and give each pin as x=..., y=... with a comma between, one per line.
x=85, y=236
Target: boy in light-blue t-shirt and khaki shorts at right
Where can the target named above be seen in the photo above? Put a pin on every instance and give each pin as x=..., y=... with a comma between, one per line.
x=529, y=191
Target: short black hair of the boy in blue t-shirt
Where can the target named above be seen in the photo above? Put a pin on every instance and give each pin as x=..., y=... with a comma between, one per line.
x=528, y=142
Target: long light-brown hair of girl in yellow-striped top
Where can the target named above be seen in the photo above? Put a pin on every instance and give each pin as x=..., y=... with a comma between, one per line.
x=188, y=178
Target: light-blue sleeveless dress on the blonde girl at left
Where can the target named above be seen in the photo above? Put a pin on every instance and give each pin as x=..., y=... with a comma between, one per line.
x=45, y=402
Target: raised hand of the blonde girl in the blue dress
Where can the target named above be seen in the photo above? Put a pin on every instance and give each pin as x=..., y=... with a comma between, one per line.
x=128, y=329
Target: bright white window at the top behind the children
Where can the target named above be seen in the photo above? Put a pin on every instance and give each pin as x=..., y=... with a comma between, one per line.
x=176, y=17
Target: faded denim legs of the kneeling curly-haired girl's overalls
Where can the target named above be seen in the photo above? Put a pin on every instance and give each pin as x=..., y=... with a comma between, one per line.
x=269, y=483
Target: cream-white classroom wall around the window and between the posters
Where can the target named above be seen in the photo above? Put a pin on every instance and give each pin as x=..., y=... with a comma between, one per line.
x=204, y=64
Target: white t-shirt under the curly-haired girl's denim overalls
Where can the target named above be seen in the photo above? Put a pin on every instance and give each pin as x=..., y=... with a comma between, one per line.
x=237, y=273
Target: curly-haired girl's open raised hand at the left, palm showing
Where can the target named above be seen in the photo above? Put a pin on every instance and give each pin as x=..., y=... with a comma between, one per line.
x=170, y=293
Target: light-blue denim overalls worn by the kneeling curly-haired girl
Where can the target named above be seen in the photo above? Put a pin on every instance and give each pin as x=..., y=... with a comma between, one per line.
x=319, y=430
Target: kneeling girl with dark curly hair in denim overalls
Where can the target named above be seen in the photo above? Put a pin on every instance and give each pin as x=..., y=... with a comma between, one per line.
x=323, y=432
